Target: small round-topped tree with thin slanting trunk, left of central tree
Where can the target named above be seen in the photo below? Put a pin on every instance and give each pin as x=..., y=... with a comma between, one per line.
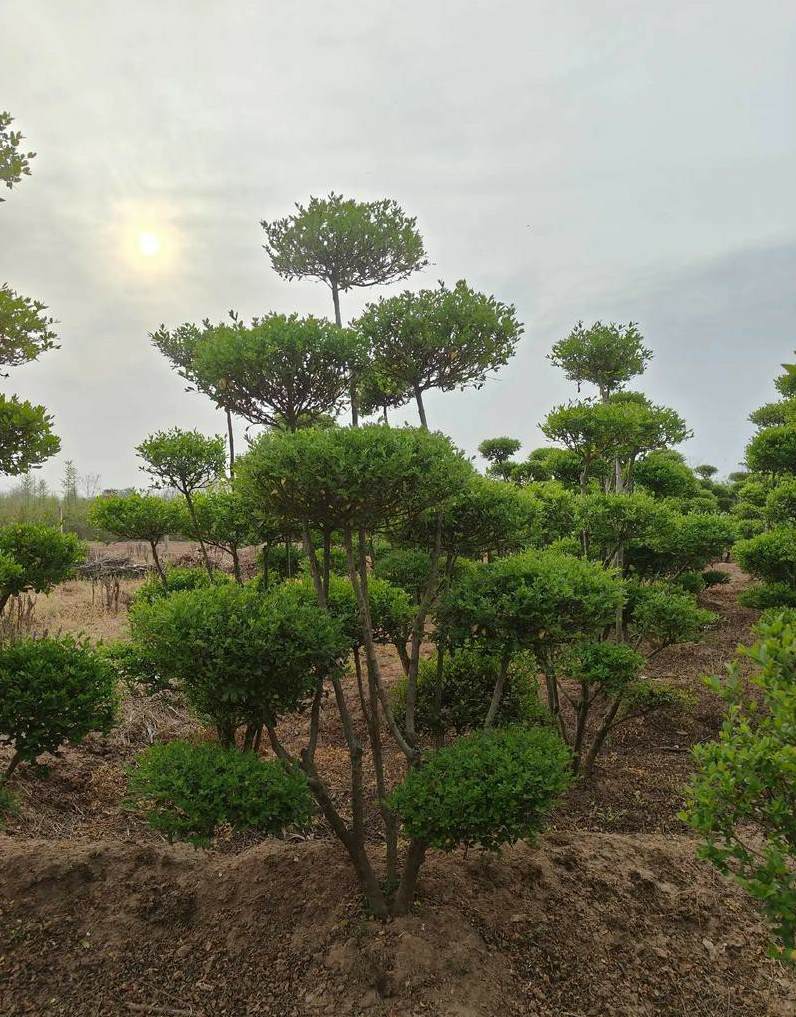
x=187, y=461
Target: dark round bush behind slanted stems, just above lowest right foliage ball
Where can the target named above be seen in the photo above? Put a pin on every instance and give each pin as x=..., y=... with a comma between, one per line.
x=469, y=678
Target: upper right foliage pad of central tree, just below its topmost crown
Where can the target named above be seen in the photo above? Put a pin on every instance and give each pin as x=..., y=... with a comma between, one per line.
x=439, y=339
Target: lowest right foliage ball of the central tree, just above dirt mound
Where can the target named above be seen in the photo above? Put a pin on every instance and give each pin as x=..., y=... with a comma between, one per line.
x=486, y=790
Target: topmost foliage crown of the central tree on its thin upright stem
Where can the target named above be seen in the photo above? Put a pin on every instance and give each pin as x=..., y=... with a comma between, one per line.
x=347, y=245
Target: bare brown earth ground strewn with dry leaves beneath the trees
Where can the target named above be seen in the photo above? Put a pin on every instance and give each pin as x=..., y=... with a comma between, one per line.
x=611, y=915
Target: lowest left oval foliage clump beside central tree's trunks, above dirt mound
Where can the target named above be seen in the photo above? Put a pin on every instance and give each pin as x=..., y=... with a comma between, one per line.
x=188, y=792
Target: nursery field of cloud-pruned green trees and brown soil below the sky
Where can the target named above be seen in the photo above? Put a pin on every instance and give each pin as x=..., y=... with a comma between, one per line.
x=343, y=720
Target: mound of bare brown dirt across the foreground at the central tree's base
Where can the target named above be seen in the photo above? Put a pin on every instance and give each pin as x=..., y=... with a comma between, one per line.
x=587, y=925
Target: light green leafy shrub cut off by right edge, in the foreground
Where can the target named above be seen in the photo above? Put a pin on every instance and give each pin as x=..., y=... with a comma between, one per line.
x=743, y=800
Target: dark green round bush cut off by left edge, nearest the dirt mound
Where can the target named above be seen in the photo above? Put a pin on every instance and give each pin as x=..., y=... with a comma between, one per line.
x=53, y=691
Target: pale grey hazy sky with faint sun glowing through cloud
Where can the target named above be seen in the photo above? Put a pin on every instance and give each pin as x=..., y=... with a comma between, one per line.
x=582, y=159
